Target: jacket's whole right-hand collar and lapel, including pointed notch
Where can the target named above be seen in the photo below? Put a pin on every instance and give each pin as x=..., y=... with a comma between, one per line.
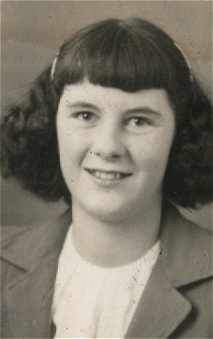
x=162, y=307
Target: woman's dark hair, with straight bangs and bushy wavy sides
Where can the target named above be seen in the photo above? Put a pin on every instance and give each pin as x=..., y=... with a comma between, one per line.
x=131, y=55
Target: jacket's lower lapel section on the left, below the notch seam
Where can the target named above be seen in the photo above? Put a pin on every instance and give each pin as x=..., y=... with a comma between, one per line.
x=32, y=318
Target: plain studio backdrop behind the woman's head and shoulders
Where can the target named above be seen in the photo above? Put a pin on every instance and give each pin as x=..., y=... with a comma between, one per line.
x=32, y=31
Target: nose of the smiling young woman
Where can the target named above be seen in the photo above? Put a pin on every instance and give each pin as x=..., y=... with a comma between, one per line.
x=108, y=143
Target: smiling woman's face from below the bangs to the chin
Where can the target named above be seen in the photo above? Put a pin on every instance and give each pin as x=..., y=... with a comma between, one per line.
x=114, y=147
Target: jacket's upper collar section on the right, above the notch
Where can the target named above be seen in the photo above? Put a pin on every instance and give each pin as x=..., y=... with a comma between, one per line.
x=187, y=250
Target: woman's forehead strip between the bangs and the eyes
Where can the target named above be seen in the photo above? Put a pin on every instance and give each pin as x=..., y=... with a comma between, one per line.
x=86, y=92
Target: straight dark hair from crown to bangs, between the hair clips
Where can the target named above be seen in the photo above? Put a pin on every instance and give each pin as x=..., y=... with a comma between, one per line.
x=118, y=55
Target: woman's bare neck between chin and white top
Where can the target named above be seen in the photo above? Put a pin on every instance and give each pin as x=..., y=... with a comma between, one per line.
x=115, y=243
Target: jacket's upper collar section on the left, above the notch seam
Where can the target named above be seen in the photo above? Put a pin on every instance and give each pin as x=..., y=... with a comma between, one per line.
x=24, y=246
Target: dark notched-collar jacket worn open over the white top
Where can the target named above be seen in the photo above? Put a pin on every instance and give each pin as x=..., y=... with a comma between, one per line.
x=176, y=303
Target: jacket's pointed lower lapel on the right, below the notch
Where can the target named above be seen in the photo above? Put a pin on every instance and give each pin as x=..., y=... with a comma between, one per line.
x=161, y=309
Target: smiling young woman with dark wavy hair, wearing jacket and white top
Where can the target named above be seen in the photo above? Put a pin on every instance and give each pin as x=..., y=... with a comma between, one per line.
x=119, y=127
